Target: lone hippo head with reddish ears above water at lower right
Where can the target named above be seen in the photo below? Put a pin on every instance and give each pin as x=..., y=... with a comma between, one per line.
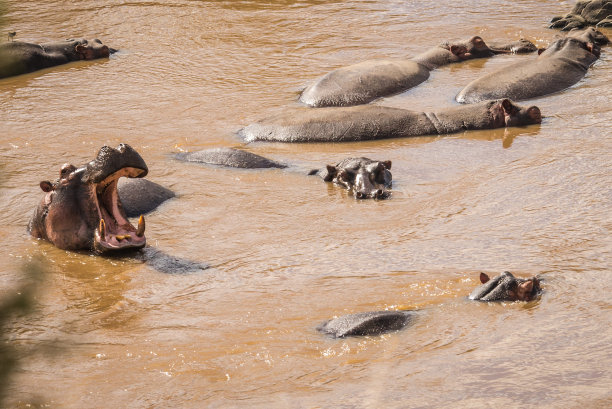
x=506, y=287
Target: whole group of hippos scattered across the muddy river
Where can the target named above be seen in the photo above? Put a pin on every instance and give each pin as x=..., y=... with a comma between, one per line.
x=87, y=207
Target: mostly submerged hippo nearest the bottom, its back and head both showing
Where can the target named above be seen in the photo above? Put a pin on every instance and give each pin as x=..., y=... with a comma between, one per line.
x=504, y=287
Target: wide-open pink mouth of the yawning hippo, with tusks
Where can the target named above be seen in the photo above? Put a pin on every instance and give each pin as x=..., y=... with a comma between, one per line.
x=114, y=231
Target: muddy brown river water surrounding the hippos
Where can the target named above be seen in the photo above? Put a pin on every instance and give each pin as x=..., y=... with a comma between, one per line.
x=287, y=251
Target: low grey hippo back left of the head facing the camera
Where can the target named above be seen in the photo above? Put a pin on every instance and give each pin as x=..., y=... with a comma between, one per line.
x=230, y=157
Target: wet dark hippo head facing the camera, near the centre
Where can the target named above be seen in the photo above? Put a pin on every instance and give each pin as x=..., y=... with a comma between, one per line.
x=364, y=177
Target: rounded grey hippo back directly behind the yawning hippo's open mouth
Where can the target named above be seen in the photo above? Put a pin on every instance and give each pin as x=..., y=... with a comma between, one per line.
x=141, y=196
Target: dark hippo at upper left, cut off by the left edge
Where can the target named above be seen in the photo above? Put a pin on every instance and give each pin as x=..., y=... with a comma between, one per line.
x=17, y=57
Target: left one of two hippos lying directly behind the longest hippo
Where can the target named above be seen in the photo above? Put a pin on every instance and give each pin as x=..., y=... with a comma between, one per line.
x=366, y=81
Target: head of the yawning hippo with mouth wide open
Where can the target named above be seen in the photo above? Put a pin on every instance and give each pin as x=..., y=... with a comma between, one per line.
x=82, y=209
